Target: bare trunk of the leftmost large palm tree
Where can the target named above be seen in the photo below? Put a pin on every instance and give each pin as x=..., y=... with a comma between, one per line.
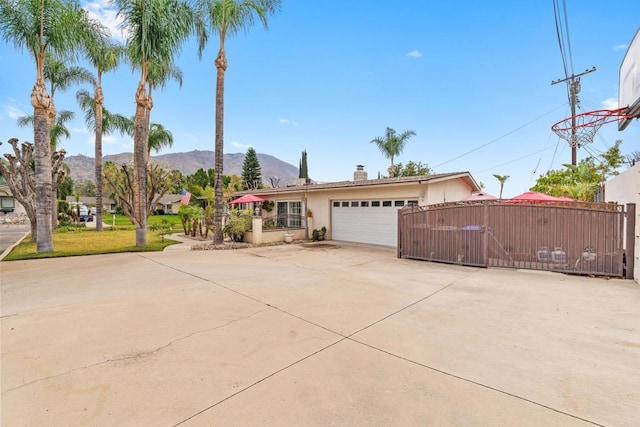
x=42, y=104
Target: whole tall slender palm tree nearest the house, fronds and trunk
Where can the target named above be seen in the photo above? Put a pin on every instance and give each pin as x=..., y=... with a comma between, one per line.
x=226, y=17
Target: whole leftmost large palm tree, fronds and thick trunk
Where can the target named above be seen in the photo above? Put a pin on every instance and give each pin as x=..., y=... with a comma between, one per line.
x=59, y=27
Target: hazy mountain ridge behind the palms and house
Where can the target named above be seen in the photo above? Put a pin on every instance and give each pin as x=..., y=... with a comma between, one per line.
x=83, y=167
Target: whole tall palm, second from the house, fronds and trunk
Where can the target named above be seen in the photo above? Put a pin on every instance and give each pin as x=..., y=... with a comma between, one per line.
x=156, y=30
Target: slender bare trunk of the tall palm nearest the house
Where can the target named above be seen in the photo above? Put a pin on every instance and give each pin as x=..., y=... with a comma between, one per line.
x=221, y=66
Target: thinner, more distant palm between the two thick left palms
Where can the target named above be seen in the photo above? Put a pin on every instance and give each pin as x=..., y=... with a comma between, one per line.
x=104, y=56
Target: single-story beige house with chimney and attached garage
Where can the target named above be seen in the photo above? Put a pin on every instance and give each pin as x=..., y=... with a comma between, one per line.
x=364, y=210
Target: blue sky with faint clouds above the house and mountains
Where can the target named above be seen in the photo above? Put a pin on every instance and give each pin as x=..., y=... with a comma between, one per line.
x=471, y=78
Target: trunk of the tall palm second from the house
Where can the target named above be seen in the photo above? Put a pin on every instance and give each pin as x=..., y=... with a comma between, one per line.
x=140, y=140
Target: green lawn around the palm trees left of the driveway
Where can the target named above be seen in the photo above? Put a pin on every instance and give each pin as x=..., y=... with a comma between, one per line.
x=83, y=241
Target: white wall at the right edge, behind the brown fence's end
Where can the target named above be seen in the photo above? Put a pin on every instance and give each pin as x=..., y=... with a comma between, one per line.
x=623, y=189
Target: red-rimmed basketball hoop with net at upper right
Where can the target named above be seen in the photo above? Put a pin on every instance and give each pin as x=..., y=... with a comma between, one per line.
x=580, y=129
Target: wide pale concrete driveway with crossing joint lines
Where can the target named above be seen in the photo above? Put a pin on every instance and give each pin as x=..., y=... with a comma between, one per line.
x=312, y=335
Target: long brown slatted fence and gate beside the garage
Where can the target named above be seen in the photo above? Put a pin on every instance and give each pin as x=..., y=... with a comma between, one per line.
x=571, y=238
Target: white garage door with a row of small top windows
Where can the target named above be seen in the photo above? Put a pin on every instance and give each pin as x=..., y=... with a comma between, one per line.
x=366, y=221
